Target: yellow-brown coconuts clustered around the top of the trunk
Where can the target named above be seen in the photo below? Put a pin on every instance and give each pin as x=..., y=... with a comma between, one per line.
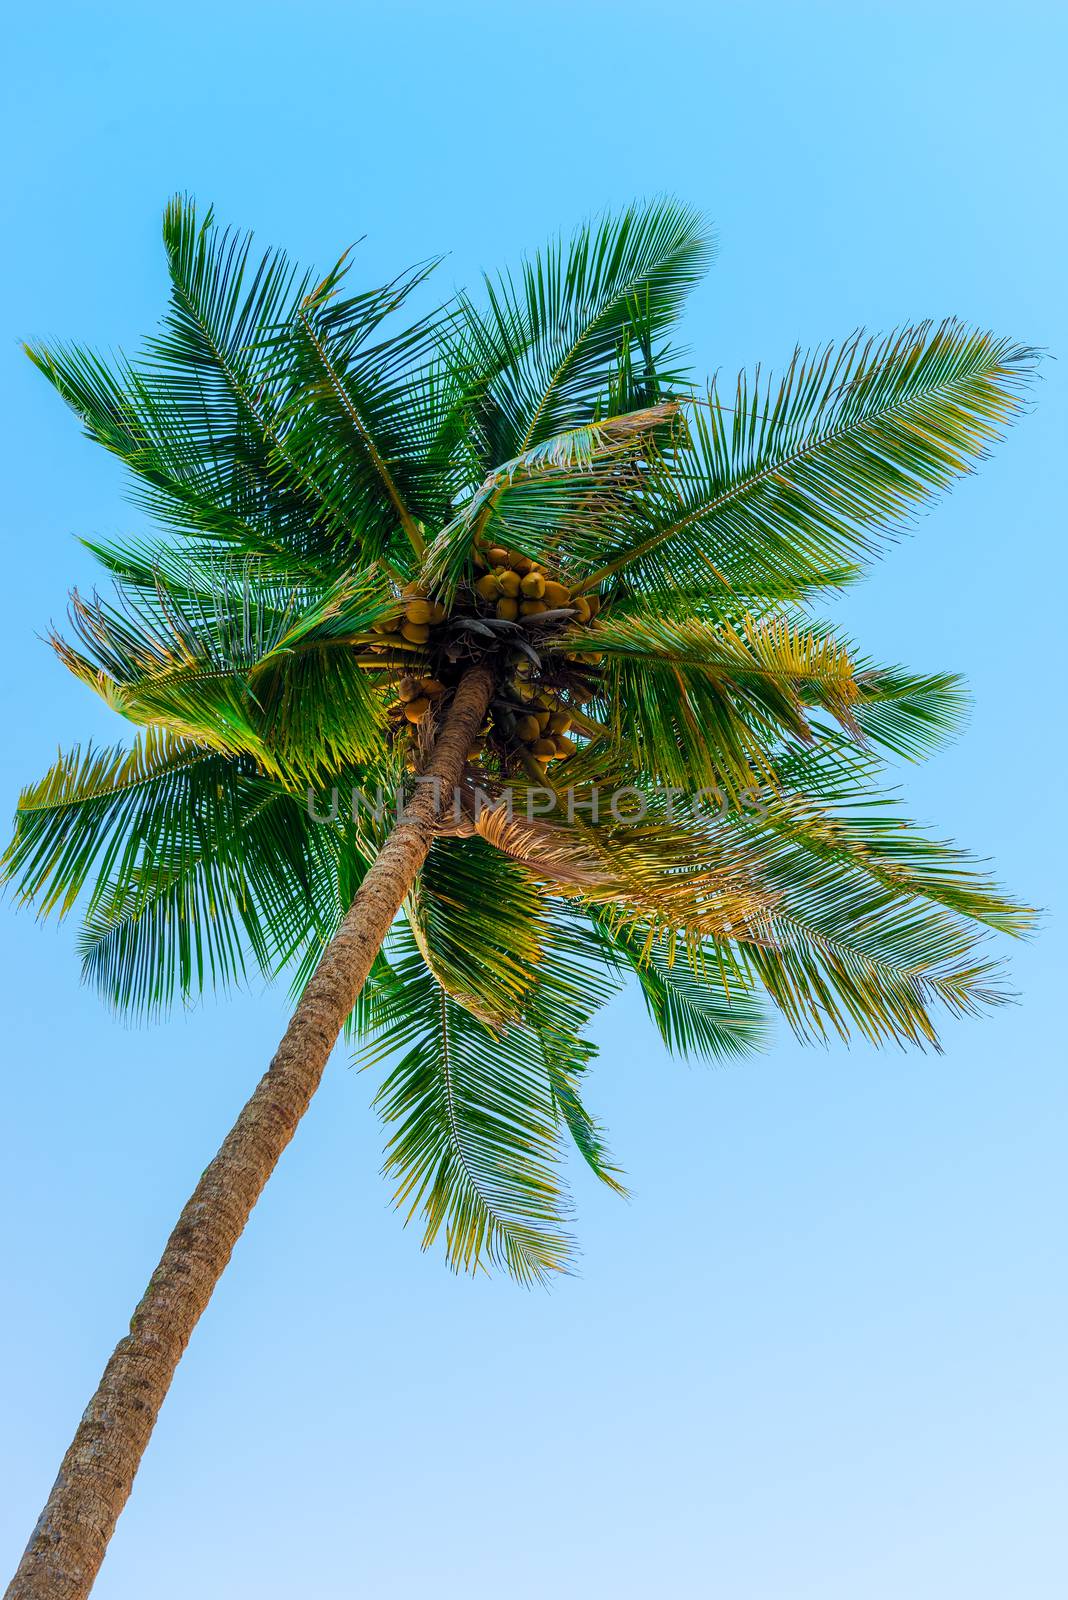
x=511, y=617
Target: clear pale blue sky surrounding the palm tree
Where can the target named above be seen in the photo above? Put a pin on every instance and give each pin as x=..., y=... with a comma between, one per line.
x=819, y=1356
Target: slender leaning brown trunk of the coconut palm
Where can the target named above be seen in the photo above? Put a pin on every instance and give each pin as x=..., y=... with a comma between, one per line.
x=97, y=1476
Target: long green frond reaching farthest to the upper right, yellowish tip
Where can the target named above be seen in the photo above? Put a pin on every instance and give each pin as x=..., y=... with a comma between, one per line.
x=810, y=474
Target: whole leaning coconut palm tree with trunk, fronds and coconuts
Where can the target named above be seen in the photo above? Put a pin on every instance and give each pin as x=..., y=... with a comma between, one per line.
x=503, y=559
